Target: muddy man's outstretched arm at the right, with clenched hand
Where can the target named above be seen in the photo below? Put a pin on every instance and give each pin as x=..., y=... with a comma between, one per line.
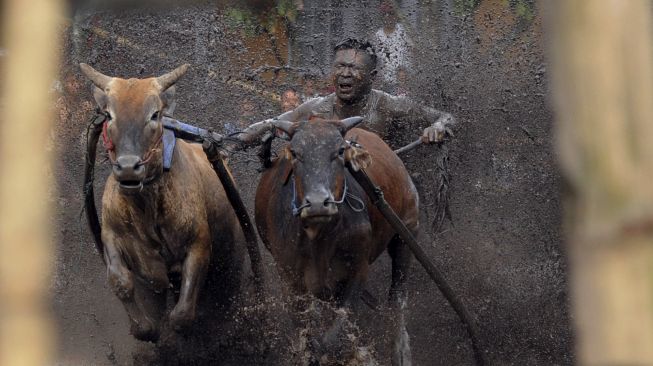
x=438, y=123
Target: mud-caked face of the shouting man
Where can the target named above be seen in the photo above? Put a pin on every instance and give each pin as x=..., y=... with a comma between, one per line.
x=351, y=75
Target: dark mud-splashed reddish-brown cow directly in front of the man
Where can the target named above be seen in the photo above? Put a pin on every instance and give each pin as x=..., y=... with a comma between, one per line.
x=321, y=228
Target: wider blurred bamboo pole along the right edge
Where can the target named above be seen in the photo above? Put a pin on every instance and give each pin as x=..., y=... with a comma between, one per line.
x=603, y=90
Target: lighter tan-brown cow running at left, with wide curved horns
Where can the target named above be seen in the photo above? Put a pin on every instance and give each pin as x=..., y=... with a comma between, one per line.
x=156, y=225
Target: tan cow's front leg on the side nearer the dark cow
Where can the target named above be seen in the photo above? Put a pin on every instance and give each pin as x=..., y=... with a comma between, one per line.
x=193, y=274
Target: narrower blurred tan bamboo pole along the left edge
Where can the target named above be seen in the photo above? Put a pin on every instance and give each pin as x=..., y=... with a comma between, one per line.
x=26, y=253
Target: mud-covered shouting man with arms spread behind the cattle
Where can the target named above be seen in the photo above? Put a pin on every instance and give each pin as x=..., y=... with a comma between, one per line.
x=354, y=70
